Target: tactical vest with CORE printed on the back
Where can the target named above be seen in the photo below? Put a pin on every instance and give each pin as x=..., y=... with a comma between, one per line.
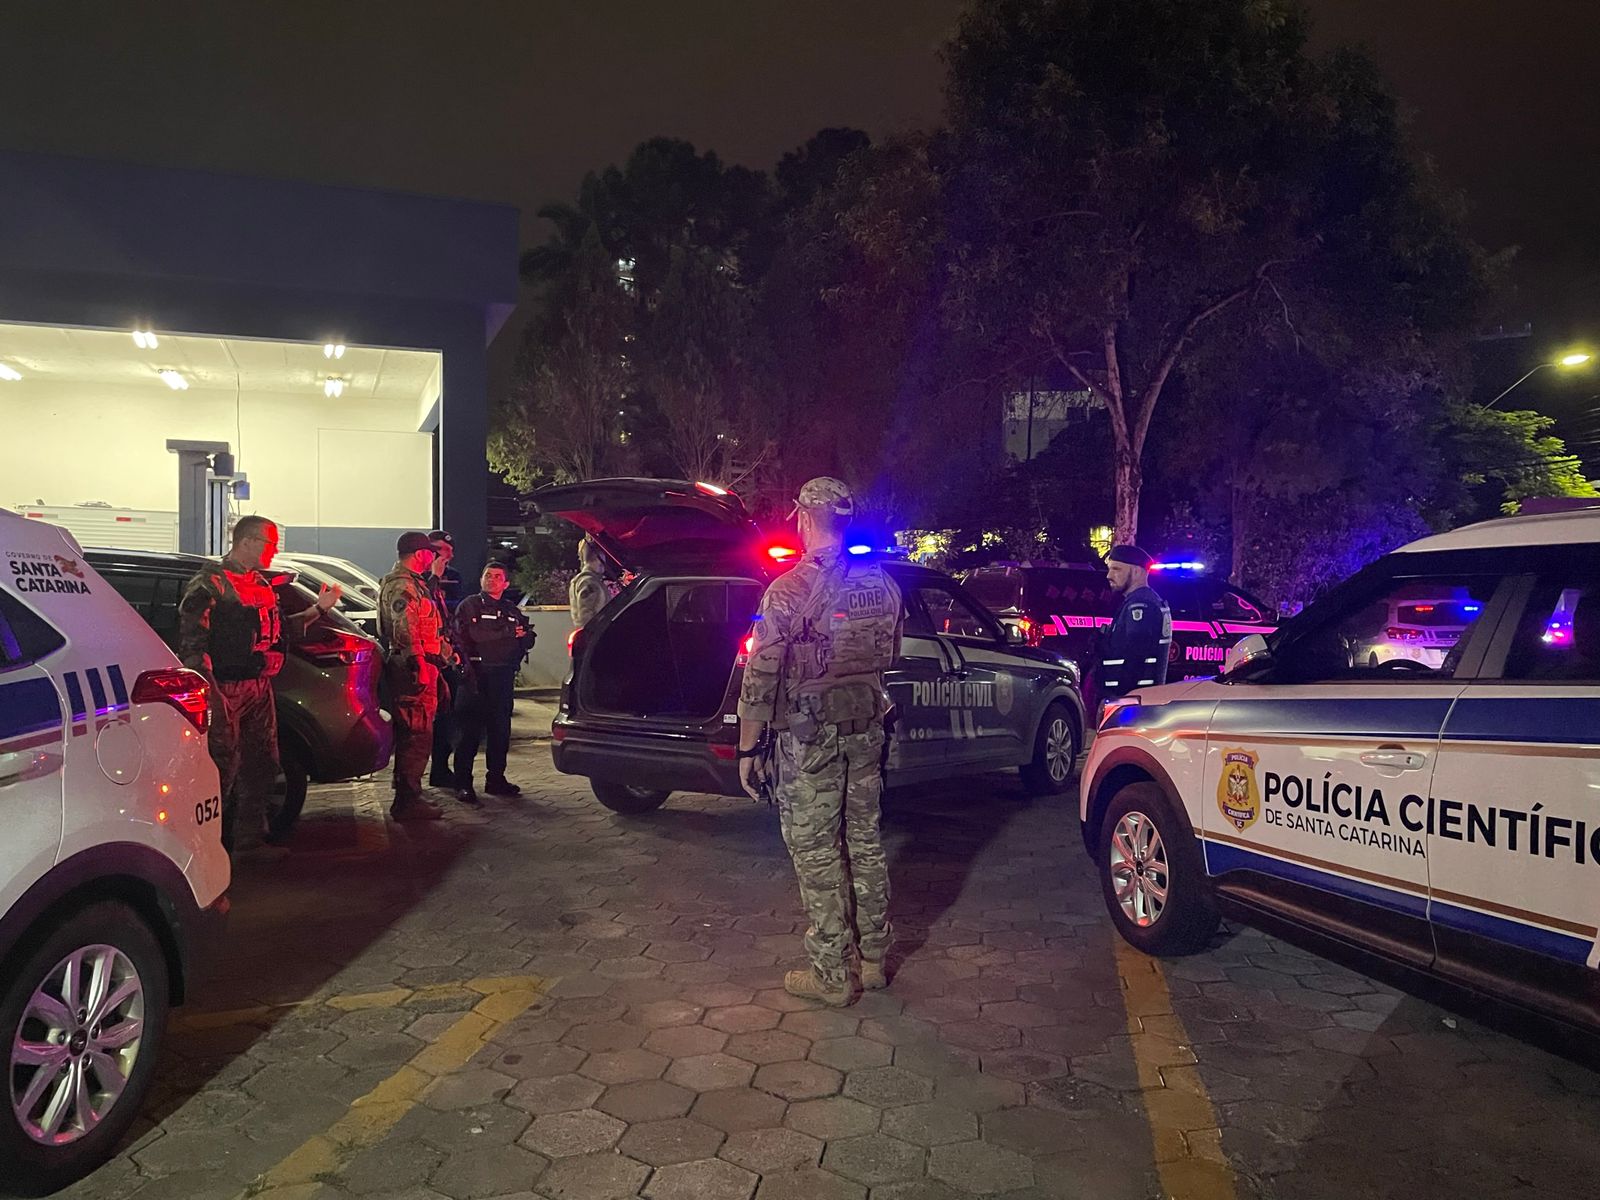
x=844, y=644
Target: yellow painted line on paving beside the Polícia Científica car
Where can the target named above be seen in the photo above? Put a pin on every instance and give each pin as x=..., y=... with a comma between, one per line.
x=1183, y=1121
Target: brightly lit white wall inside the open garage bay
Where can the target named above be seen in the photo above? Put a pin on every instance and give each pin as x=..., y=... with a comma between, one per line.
x=313, y=462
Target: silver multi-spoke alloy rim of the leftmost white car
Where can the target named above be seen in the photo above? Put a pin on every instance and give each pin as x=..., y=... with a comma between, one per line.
x=76, y=1046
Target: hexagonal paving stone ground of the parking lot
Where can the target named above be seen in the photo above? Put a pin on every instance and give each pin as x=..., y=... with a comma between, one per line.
x=1020, y=1052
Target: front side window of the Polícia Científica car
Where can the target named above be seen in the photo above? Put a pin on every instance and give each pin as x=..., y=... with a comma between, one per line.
x=1409, y=630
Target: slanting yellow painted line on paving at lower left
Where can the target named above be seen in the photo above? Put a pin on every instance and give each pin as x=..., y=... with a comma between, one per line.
x=378, y=1111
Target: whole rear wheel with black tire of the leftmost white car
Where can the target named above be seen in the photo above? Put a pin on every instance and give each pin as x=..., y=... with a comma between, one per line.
x=106, y=937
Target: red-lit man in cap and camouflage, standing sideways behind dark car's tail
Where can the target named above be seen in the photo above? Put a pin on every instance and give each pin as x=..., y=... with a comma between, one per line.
x=409, y=625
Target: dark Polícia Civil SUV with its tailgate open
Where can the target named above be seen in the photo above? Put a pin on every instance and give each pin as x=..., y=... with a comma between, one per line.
x=649, y=705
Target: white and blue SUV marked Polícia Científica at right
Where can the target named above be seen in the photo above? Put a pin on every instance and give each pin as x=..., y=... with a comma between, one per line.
x=1439, y=812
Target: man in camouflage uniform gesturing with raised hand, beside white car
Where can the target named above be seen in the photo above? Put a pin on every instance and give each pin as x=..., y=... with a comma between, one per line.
x=231, y=631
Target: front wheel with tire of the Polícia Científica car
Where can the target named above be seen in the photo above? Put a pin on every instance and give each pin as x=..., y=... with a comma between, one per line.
x=1153, y=874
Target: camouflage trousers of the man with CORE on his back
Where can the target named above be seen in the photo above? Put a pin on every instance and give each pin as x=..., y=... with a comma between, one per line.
x=830, y=799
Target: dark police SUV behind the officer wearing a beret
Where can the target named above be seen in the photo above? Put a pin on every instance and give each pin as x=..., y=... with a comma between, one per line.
x=1068, y=606
